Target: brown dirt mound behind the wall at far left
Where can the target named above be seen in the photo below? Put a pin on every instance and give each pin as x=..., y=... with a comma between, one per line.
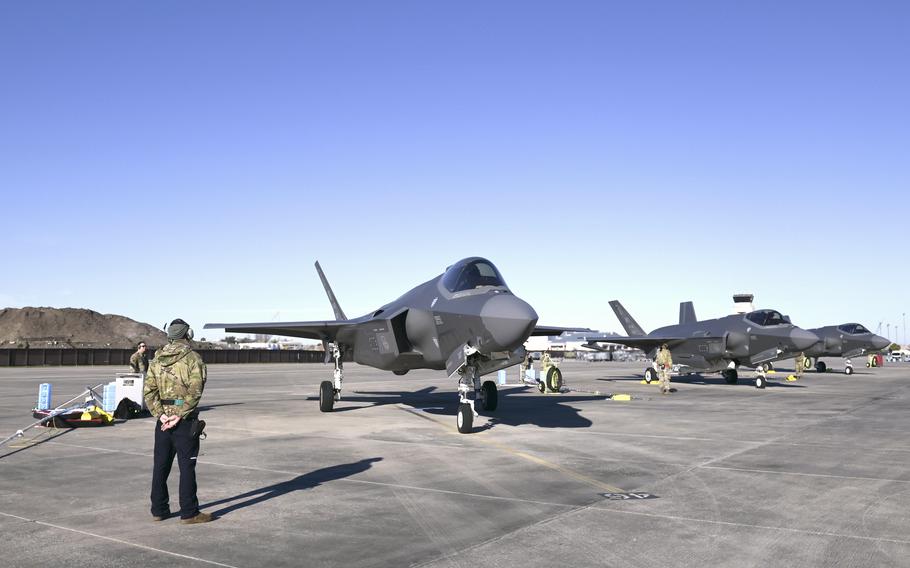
x=73, y=327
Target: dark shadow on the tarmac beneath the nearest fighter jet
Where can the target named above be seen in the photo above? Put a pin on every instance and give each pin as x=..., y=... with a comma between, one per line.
x=544, y=411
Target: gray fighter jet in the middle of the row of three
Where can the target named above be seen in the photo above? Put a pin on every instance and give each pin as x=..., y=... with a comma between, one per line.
x=713, y=345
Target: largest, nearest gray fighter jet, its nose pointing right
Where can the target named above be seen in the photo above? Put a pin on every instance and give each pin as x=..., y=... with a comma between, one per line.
x=465, y=321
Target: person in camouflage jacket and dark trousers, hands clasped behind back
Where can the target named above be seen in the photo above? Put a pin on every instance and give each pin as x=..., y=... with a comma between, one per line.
x=173, y=388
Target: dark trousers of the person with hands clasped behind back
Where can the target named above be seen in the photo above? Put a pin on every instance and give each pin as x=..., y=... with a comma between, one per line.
x=179, y=442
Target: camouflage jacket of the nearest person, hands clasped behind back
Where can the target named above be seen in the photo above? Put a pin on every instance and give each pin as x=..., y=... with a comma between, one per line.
x=176, y=374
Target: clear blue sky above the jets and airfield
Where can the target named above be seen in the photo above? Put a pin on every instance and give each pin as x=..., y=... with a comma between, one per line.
x=163, y=159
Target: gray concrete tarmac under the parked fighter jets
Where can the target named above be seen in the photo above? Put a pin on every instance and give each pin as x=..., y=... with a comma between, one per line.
x=807, y=473
